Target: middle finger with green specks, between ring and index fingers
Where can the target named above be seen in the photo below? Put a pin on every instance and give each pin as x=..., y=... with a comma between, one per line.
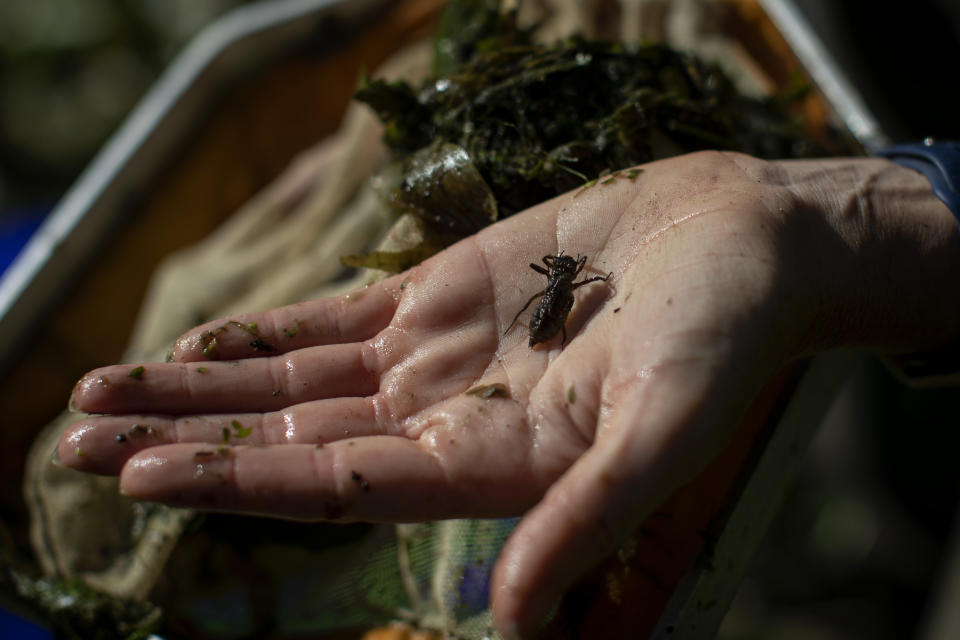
x=102, y=444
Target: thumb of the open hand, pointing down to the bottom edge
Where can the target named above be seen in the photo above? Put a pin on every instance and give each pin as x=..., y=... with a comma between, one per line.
x=657, y=435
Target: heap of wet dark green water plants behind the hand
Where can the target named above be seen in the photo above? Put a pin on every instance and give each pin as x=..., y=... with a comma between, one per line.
x=512, y=123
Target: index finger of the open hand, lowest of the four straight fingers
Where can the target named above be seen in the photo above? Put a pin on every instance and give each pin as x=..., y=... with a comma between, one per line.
x=379, y=479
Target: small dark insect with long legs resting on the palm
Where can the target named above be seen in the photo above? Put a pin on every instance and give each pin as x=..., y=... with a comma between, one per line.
x=550, y=316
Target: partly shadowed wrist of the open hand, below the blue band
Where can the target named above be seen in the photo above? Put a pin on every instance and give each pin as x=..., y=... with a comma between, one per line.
x=890, y=253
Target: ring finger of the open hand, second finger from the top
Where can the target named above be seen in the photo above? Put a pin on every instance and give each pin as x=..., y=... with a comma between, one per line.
x=252, y=385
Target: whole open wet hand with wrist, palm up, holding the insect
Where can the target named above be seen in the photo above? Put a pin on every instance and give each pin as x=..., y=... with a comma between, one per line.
x=723, y=269
